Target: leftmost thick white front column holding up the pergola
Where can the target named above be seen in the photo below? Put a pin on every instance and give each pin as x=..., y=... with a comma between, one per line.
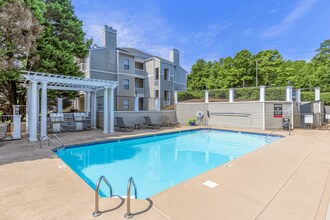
x=33, y=112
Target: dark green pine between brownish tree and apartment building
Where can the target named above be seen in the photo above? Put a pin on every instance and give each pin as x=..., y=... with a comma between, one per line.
x=62, y=41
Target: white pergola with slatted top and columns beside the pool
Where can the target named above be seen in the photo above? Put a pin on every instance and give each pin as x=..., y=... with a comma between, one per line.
x=34, y=81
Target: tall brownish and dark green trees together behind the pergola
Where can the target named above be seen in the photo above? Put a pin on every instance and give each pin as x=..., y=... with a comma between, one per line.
x=37, y=35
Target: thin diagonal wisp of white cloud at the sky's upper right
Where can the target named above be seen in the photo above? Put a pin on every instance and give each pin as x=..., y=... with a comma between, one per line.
x=302, y=8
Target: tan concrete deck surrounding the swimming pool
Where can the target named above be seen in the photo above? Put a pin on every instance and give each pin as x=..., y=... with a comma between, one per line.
x=288, y=179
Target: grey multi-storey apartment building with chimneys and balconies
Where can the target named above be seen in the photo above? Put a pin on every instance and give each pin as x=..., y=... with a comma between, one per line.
x=146, y=82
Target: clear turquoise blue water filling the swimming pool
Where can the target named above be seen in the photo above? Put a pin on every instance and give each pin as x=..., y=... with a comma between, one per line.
x=159, y=162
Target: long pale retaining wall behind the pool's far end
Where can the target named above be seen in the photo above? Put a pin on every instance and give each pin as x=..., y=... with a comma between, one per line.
x=256, y=109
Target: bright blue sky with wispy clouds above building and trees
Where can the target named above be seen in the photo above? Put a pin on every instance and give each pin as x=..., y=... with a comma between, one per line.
x=210, y=29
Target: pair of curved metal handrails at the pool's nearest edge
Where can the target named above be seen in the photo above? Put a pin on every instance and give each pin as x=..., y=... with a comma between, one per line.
x=128, y=214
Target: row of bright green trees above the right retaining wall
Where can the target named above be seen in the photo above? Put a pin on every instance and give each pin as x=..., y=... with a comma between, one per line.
x=269, y=66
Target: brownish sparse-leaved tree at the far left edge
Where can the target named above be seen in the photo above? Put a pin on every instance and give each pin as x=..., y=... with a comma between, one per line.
x=19, y=30
